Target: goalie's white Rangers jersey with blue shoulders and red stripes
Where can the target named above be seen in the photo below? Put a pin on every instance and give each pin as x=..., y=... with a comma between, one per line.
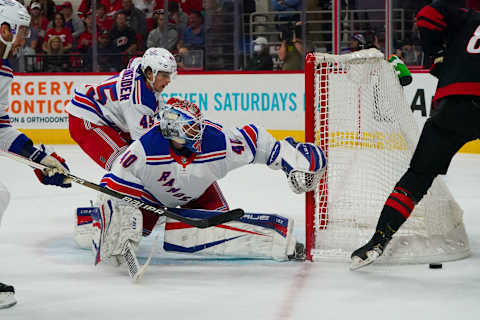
x=152, y=171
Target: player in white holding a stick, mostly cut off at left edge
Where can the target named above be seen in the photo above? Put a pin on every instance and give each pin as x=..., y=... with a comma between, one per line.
x=14, y=27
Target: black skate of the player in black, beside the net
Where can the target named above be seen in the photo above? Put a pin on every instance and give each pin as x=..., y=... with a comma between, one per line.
x=371, y=251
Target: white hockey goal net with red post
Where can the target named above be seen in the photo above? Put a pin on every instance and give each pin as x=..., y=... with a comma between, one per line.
x=356, y=111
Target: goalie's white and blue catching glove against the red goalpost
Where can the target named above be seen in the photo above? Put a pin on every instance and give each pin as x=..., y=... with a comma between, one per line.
x=303, y=163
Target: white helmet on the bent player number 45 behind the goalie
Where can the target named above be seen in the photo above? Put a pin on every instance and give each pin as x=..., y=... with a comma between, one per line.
x=159, y=60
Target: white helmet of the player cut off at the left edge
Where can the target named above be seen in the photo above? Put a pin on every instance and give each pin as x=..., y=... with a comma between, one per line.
x=15, y=14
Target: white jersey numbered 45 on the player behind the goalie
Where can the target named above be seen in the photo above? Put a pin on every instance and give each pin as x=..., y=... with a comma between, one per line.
x=123, y=102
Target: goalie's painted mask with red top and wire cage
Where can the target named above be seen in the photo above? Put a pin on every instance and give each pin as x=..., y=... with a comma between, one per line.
x=182, y=122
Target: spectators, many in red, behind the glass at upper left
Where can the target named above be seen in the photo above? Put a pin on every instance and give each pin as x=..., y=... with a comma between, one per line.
x=61, y=38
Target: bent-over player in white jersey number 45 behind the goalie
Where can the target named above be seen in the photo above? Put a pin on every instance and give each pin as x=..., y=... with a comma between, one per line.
x=105, y=118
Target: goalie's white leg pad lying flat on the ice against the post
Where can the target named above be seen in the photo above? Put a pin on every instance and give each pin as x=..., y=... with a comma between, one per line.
x=255, y=235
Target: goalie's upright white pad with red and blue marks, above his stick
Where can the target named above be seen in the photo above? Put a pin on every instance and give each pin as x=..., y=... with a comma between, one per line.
x=115, y=224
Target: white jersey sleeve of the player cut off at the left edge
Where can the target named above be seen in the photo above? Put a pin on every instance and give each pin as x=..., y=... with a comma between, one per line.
x=10, y=138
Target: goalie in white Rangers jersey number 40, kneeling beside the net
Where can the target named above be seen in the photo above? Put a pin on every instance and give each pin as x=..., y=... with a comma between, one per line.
x=176, y=162
